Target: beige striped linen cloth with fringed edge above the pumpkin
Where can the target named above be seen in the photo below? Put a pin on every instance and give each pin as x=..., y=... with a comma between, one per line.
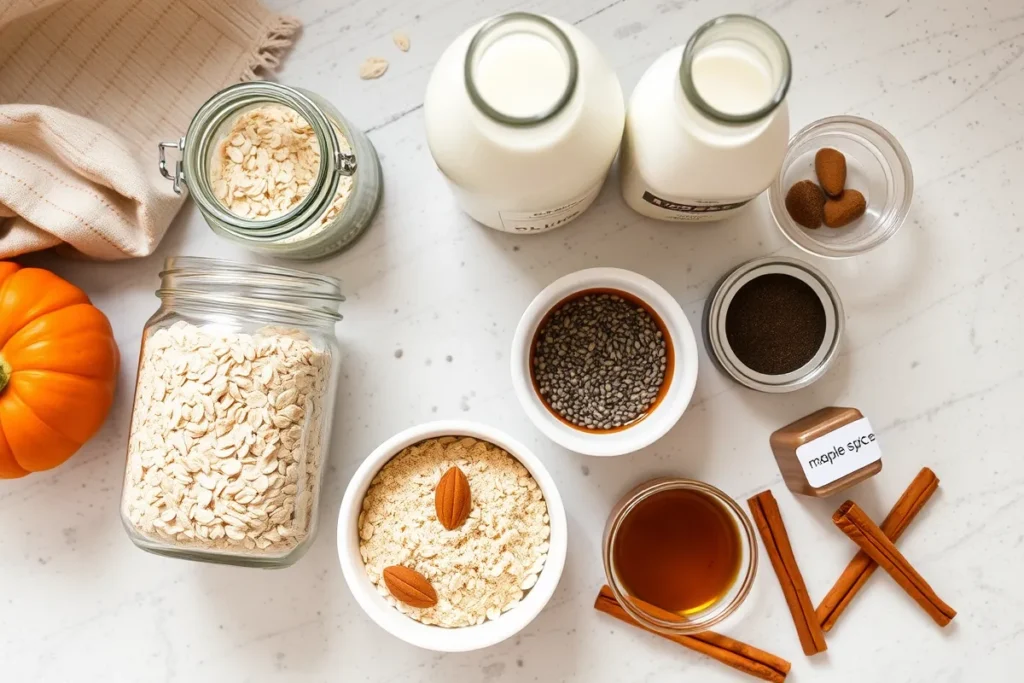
x=88, y=90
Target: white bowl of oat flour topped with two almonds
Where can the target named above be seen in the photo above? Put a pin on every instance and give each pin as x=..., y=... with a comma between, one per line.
x=452, y=536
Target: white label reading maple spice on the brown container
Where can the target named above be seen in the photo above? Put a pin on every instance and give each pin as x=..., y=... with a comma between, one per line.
x=839, y=453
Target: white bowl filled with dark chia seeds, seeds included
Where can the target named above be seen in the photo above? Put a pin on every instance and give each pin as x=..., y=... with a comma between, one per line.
x=605, y=362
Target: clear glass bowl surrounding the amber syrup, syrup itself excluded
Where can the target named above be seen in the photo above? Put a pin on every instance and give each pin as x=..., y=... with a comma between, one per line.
x=729, y=606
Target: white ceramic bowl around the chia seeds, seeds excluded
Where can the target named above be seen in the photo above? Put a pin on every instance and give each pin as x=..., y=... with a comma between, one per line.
x=681, y=381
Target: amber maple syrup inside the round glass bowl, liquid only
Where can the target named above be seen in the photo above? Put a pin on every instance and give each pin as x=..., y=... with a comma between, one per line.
x=679, y=550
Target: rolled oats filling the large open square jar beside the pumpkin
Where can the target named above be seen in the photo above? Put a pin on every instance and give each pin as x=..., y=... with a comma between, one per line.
x=215, y=463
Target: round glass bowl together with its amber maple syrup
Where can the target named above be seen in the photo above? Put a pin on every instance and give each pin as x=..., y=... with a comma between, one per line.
x=680, y=556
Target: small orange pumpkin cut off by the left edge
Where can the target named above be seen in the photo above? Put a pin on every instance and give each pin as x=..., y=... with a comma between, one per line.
x=59, y=367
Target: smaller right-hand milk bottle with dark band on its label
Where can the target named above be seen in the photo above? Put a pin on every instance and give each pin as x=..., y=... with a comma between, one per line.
x=708, y=125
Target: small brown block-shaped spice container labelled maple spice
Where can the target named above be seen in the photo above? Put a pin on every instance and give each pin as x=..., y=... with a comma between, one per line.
x=827, y=452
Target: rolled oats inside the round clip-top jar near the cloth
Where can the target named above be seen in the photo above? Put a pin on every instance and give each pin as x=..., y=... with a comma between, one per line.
x=268, y=164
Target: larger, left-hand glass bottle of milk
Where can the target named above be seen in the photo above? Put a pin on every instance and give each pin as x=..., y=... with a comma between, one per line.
x=524, y=118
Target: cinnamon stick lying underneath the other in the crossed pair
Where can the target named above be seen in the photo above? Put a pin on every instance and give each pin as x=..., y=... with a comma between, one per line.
x=863, y=567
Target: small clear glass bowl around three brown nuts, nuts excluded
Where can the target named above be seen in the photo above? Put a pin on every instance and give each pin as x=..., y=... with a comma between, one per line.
x=877, y=166
